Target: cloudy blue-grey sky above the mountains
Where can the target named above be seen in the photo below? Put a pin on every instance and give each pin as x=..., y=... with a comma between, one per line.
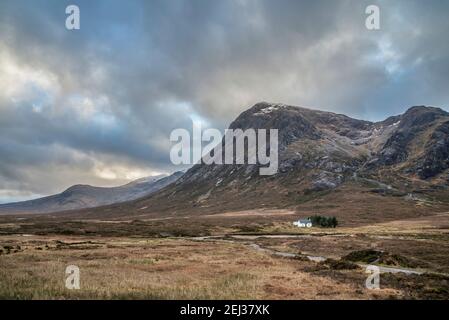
x=97, y=105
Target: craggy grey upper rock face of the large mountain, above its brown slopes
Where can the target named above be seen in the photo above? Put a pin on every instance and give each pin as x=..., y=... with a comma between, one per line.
x=321, y=150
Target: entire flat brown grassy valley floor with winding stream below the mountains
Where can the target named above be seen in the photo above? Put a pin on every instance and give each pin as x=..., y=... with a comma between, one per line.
x=231, y=256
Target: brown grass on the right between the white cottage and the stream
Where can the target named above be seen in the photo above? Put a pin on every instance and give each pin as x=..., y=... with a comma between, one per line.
x=424, y=241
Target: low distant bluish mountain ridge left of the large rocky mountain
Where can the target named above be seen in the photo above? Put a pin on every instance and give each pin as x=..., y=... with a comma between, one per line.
x=86, y=196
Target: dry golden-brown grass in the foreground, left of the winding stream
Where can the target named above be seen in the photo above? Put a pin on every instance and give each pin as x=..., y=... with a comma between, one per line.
x=116, y=268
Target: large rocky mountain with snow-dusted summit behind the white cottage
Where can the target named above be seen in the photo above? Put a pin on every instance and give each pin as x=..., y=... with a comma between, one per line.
x=328, y=163
